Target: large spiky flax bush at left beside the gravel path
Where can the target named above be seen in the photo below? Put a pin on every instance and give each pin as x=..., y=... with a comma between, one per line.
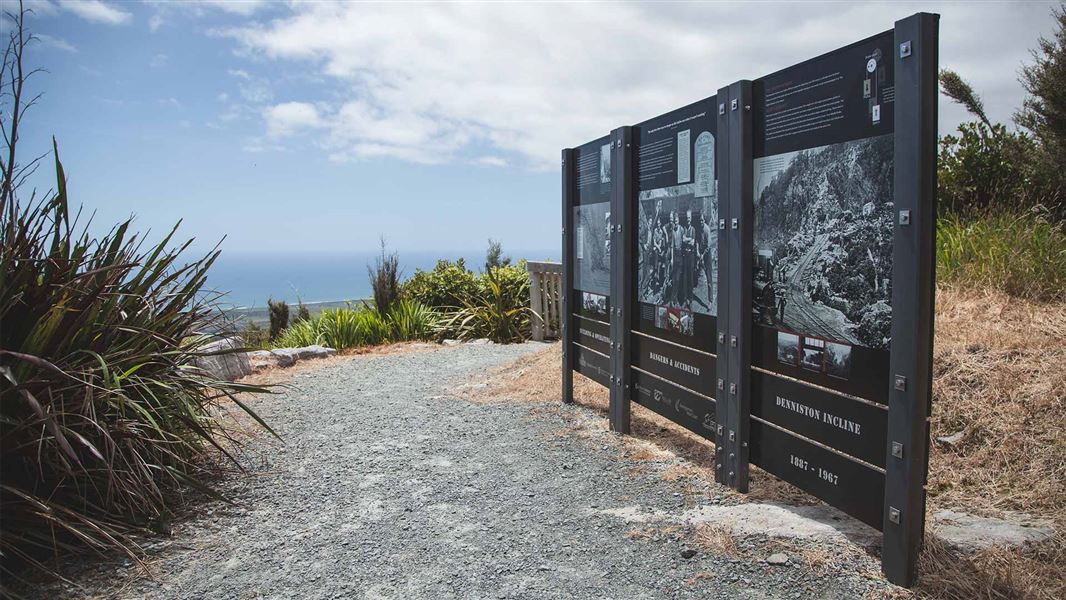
x=104, y=415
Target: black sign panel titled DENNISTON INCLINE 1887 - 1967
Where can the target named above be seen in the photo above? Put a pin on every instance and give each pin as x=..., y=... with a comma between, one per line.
x=822, y=271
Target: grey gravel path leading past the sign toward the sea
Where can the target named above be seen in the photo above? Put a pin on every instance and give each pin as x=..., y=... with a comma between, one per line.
x=391, y=488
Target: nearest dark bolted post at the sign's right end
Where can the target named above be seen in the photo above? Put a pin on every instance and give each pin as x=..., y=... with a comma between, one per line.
x=913, y=291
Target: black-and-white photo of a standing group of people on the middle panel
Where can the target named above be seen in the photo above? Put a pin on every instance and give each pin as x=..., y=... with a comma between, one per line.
x=677, y=250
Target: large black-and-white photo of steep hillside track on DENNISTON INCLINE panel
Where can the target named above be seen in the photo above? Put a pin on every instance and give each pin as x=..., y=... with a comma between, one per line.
x=823, y=242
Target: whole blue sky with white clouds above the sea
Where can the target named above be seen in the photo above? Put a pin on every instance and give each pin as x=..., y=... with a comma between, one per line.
x=317, y=127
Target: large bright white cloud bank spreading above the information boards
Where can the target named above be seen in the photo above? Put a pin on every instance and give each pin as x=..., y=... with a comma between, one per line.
x=433, y=84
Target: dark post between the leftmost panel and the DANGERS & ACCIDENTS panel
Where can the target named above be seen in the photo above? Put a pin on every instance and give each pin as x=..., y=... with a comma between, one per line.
x=623, y=186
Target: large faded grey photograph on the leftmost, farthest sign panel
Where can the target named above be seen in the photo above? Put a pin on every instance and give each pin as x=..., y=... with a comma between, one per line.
x=593, y=248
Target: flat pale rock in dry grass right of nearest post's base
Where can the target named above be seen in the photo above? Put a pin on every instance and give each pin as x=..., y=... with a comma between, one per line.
x=974, y=533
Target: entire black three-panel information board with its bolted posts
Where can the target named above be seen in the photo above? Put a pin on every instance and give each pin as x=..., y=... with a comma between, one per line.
x=771, y=282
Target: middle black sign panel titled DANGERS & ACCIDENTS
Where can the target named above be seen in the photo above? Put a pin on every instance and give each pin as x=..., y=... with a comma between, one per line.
x=676, y=266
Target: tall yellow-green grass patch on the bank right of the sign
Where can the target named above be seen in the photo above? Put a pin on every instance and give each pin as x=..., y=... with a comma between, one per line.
x=1023, y=254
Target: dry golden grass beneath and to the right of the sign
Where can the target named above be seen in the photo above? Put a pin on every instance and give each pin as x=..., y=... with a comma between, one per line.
x=999, y=379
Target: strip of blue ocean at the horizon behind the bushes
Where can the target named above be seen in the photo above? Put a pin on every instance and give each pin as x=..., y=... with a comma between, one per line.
x=250, y=280
